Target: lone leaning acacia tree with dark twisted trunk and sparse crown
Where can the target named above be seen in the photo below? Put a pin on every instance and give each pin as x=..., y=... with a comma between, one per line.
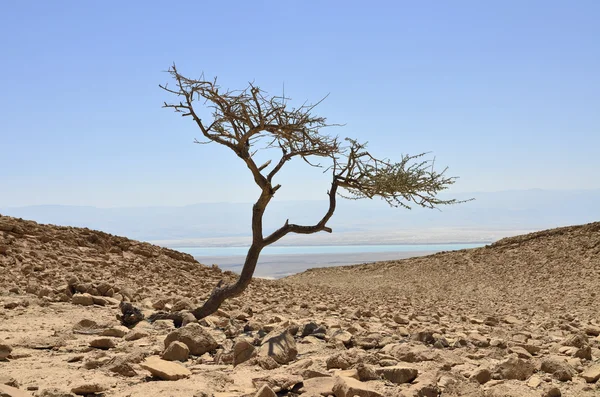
x=248, y=120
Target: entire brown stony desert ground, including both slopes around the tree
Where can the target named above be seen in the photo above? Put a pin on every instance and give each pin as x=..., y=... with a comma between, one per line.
x=517, y=318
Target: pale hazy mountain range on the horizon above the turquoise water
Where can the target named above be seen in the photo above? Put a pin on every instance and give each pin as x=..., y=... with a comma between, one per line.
x=491, y=216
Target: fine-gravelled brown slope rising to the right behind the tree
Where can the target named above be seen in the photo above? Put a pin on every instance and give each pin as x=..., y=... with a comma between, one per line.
x=555, y=271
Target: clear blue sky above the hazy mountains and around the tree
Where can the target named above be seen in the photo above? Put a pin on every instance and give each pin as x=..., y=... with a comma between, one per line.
x=506, y=93
